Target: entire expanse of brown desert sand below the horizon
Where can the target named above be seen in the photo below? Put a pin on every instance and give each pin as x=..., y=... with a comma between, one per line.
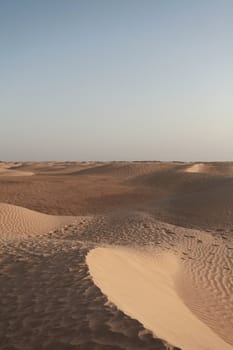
x=116, y=255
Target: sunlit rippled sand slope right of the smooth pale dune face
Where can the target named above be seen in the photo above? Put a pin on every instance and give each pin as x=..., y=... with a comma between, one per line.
x=206, y=283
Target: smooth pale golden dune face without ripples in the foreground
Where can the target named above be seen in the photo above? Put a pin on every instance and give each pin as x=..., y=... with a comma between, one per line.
x=143, y=286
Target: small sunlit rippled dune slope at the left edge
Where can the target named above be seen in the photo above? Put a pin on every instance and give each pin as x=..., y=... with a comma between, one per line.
x=21, y=222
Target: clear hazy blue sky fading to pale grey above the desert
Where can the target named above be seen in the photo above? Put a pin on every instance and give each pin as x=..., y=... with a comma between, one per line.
x=116, y=79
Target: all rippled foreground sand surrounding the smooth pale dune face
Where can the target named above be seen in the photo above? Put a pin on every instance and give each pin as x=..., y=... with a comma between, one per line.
x=48, y=299
